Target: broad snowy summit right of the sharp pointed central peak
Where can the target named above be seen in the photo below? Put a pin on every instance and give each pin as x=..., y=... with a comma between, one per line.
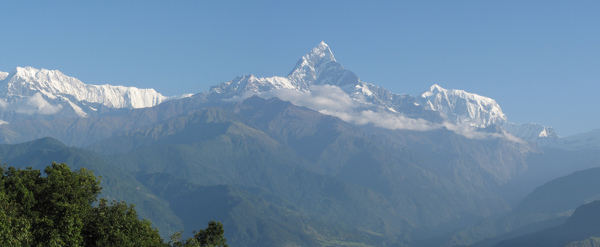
x=458, y=106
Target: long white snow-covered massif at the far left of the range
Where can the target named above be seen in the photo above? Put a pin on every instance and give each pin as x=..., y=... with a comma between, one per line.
x=27, y=90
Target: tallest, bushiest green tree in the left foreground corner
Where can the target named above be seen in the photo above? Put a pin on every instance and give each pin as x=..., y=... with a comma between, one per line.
x=49, y=210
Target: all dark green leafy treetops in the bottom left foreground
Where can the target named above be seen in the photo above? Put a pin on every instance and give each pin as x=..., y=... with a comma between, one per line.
x=56, y=210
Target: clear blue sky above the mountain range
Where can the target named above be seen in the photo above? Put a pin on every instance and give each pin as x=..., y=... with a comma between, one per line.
x=539, y=59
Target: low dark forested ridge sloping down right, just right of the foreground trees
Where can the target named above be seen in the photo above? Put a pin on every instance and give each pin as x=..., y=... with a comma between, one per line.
x=247, y=212
